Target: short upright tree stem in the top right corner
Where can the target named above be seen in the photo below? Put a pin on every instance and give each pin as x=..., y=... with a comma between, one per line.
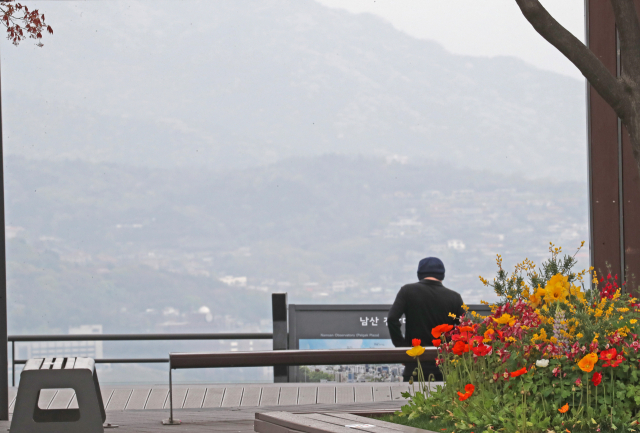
x=629, y=32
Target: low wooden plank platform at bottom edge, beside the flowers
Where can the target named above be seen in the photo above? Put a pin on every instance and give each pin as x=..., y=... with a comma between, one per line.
x=286, y=422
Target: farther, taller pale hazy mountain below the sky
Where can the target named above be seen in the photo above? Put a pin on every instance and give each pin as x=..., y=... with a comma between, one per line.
x=238, y=84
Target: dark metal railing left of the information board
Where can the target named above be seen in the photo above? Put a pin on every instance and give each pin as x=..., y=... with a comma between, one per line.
x=13, y=339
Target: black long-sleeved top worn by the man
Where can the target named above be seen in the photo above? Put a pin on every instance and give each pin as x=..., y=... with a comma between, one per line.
x=425, y=305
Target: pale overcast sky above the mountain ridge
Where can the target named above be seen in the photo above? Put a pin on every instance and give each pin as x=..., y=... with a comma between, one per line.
x=478, y=27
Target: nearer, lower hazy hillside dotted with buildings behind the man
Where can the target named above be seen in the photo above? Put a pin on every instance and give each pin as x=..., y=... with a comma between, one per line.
x=107, y=243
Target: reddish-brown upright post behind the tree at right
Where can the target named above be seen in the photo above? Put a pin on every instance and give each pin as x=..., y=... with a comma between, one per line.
x=614, y=184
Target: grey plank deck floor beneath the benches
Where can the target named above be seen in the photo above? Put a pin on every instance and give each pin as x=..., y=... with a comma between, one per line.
x=226, y=408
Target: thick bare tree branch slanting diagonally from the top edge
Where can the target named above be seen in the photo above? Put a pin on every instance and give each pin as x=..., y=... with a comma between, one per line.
x=582, y=57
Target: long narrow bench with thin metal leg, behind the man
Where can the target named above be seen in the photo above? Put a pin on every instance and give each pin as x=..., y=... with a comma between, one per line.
x=289, y=358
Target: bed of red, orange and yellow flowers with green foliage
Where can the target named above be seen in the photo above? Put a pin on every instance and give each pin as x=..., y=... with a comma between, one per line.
x=559, y=352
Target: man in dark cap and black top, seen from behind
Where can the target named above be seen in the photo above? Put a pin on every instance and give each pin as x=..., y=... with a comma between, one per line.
x=425, y=305
